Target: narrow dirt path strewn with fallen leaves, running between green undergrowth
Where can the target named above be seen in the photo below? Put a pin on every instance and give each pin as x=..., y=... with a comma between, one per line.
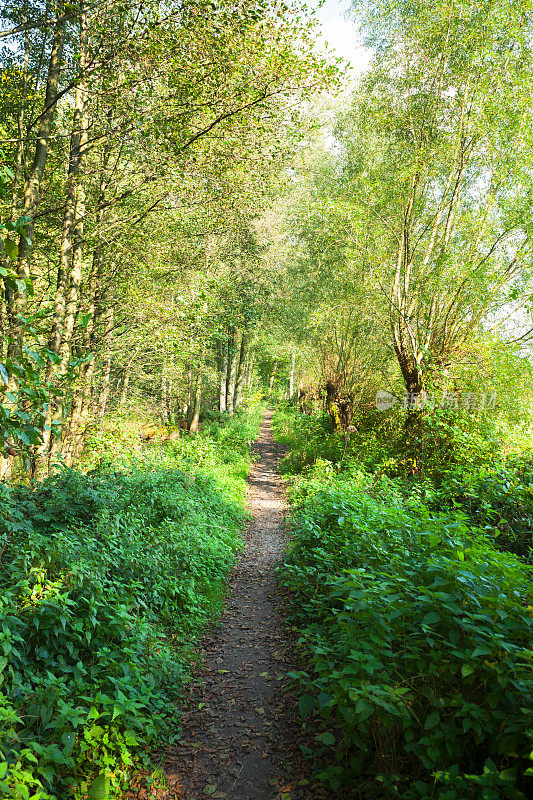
x=241, y=731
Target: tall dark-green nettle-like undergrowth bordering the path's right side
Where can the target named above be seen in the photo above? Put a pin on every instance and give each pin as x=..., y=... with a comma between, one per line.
x=418, y=631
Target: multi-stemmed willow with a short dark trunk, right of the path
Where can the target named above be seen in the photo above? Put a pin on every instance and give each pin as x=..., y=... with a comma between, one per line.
x=437, y=164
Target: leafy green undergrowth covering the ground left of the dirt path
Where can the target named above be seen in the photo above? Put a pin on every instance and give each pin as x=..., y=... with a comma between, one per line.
x=106, y=580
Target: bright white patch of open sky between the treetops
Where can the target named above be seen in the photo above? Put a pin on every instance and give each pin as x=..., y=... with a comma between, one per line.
x=340, y=32
